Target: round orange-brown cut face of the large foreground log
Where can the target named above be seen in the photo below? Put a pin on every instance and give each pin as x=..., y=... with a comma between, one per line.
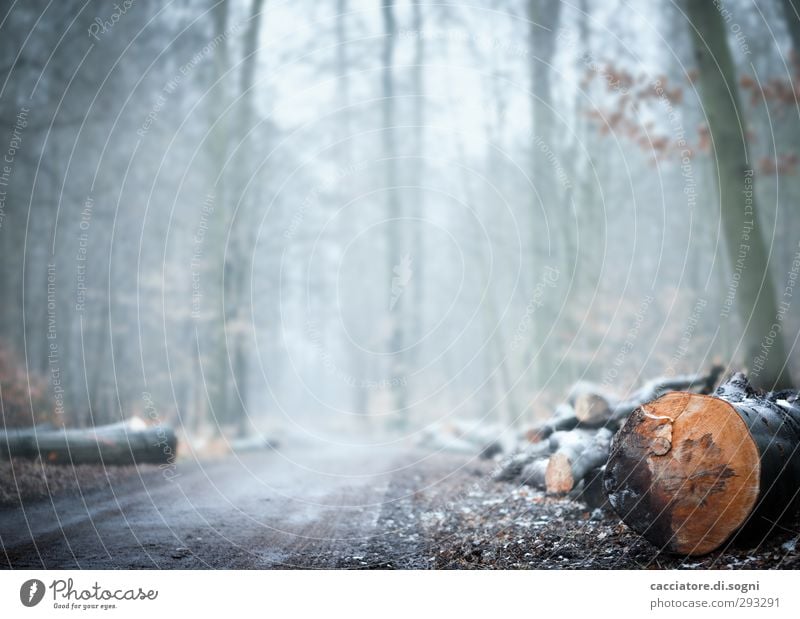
x=684, y=472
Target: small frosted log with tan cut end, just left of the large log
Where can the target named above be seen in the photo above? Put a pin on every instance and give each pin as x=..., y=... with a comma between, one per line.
x=574, y=459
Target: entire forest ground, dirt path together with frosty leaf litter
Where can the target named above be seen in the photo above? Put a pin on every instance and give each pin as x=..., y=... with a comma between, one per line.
x=414, y=511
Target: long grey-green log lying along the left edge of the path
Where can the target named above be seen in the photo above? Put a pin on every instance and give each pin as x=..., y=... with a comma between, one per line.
x=109, y=445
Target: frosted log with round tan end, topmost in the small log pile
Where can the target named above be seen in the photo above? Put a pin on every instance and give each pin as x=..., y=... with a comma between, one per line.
x=597, y=408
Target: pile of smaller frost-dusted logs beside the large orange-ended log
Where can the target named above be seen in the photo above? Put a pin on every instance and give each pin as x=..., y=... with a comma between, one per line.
x=568, y=452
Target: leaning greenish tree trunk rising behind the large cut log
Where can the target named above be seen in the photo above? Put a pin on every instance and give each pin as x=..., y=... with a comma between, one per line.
x=755, y=298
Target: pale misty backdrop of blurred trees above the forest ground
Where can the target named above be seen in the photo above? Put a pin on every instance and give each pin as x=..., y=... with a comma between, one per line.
x=359, y=222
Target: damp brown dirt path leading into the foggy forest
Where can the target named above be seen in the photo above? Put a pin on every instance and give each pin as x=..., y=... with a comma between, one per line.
x=311, y=508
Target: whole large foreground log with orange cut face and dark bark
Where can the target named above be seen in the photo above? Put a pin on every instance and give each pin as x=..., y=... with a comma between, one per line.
x=689, y=471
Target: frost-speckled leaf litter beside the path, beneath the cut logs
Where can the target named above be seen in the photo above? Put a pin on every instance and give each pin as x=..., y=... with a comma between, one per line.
x=505, y=526
